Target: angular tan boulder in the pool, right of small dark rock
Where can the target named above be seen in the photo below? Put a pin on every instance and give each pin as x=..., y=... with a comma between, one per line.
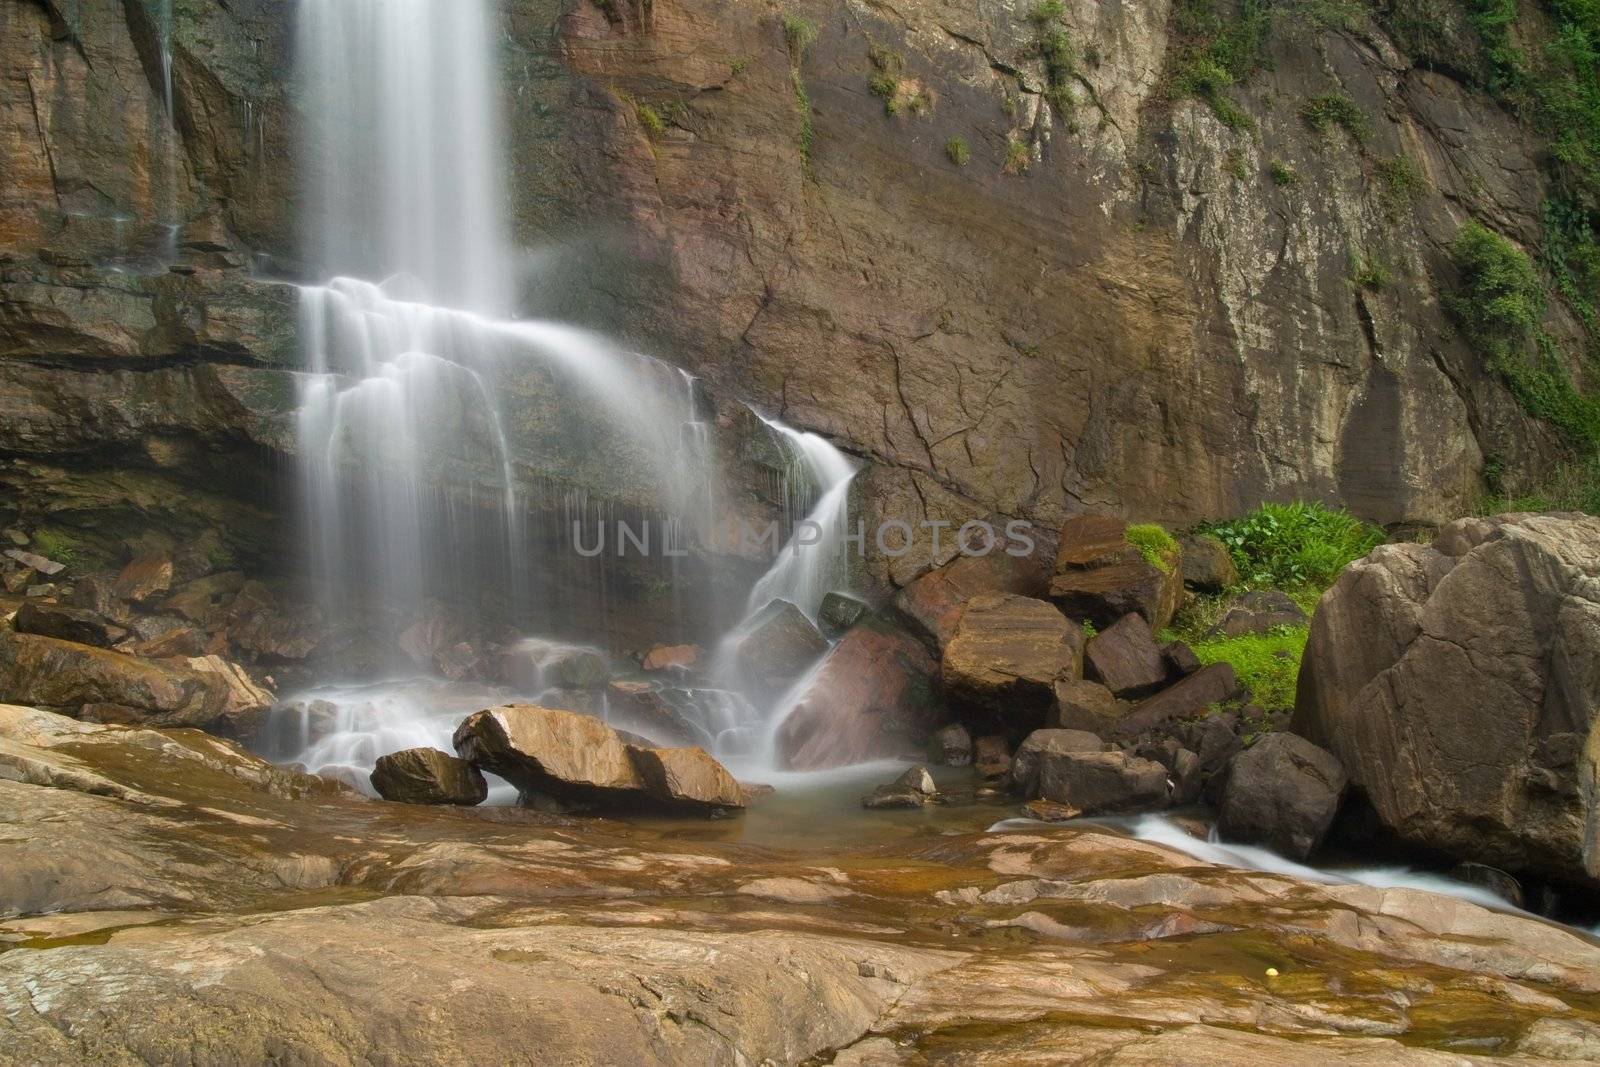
x=554, y=754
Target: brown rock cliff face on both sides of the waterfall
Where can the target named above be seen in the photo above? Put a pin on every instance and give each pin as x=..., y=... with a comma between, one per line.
x=983, y=246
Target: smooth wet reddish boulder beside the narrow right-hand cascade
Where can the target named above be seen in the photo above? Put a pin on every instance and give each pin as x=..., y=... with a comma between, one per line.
x=873, y=698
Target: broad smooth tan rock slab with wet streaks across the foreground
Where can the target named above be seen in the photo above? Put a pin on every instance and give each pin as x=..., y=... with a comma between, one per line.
x=167, y=898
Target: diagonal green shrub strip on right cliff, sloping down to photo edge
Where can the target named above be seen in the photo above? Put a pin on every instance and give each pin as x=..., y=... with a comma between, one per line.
x=1500, y=306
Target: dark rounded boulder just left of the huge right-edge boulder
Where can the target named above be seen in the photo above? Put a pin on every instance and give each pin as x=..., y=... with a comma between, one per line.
x=1282, y=793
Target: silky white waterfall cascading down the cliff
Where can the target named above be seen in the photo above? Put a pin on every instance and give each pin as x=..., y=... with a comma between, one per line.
x=414, y=425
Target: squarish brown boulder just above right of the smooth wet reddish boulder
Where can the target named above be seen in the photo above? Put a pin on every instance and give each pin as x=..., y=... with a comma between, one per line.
x=1009, y=653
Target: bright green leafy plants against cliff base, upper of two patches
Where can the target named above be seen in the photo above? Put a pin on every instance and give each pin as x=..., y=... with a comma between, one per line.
x=1295, y=546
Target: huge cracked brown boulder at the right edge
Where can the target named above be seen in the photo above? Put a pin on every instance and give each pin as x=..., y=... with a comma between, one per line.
x=1460, y=685
